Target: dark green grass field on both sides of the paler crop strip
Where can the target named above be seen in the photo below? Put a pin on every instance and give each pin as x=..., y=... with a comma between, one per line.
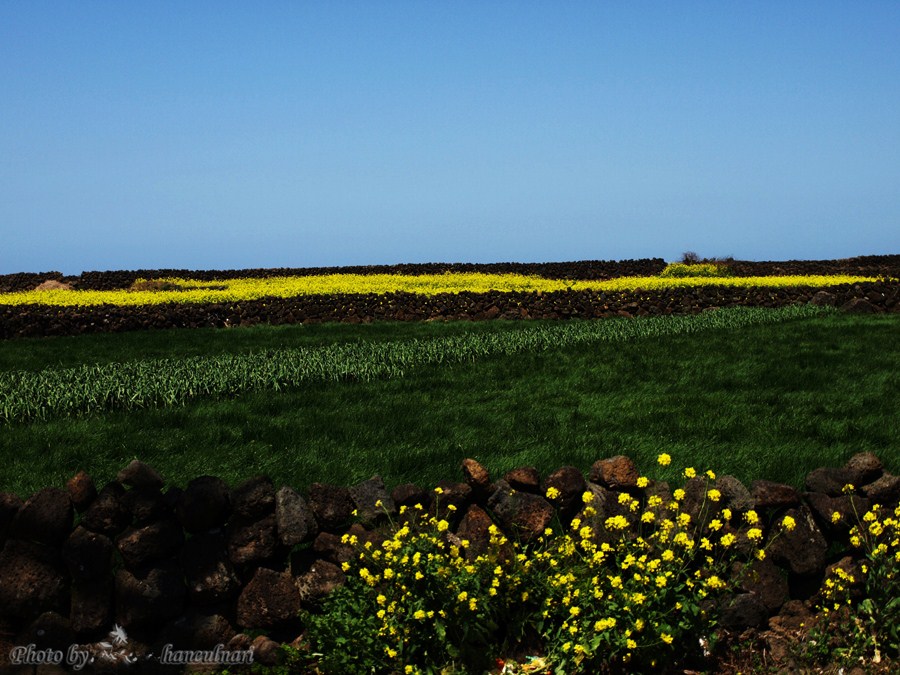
x=764, y=401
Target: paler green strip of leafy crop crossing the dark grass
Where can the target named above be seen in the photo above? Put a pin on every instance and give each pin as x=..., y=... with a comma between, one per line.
x=88, y=389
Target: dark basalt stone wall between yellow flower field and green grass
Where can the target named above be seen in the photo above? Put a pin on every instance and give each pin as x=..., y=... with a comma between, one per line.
x=48, y=320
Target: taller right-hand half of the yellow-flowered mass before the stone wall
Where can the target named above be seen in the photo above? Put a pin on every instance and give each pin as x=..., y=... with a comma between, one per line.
x=605, y=575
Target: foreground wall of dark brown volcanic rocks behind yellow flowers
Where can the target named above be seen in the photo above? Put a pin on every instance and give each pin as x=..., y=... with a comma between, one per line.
x=208, y=564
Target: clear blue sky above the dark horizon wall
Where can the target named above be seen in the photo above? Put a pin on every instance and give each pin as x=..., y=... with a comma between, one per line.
x=221, y=135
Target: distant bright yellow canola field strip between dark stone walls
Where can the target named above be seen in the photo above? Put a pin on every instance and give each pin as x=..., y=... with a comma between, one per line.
x=236, y=290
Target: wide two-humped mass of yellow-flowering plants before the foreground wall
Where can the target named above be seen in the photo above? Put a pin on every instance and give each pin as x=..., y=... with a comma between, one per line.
x=625, y=579
